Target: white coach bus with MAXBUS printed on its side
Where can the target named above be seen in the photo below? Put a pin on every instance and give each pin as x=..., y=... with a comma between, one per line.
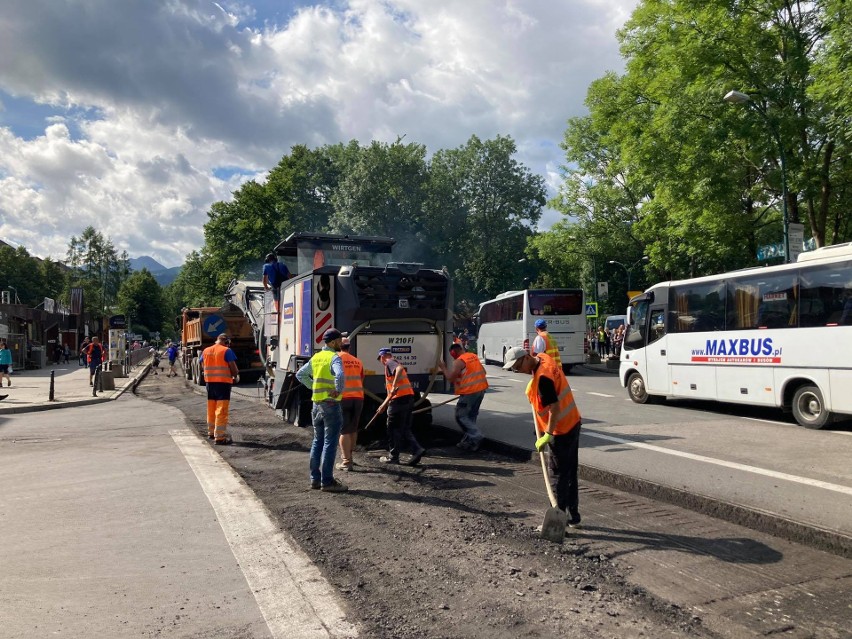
x=774, y=336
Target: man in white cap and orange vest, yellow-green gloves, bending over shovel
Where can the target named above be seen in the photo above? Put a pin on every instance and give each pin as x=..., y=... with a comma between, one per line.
x=558, y=419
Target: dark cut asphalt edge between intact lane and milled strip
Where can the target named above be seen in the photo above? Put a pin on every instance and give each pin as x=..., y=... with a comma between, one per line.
x=827, y=540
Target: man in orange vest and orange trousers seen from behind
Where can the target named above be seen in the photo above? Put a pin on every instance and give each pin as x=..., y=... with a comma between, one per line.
x=219, y=365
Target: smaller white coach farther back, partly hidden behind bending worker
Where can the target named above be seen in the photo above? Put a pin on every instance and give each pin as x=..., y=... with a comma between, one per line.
x=509, y=320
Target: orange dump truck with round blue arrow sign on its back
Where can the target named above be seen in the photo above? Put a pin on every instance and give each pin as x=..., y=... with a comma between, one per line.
x=199, y=329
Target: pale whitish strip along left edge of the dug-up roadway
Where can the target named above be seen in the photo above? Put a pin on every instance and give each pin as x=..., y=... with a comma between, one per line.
x=293, y=596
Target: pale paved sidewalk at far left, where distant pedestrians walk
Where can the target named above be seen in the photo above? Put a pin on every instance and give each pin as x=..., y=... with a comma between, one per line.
x=30, y=390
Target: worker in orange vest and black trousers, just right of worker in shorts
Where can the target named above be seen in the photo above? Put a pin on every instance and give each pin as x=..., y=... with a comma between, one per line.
x=399, y=404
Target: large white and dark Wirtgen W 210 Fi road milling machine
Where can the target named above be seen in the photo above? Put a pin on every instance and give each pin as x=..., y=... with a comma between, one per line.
x=353, y=284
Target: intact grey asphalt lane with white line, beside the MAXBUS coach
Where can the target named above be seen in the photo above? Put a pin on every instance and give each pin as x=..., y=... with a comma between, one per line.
x=738, y=455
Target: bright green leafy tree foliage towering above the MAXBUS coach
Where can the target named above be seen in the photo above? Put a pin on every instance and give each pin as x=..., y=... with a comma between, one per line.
x=662, y=166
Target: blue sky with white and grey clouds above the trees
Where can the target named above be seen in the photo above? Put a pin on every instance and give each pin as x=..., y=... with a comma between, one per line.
x=133, y=116
